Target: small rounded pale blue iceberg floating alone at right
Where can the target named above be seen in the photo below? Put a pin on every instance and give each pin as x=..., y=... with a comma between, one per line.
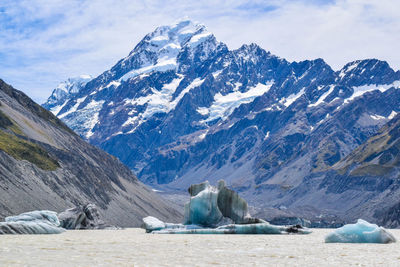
x=360, y=232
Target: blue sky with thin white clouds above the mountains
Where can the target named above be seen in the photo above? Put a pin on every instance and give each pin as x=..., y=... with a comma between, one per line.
x=44, y=42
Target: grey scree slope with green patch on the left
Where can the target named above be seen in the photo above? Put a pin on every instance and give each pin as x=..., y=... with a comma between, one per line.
x=45, y=165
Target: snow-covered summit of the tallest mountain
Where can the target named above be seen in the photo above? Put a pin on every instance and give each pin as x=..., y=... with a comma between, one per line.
x=159, y=50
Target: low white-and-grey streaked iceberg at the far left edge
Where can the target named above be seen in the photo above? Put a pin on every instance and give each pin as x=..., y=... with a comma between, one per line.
x=34, y=222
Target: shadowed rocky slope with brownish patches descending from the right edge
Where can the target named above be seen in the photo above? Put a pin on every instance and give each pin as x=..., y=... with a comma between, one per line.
x=365, y=184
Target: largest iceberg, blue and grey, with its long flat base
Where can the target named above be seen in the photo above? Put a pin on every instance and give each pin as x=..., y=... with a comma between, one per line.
x=211, y=206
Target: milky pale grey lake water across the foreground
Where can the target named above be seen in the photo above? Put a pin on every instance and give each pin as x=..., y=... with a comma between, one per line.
x=132, y=247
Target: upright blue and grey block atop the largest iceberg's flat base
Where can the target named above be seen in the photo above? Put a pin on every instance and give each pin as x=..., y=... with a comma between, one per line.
x=208, y=205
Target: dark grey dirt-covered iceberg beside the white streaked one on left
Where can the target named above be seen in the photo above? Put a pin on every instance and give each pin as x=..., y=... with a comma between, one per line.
x=82, y=218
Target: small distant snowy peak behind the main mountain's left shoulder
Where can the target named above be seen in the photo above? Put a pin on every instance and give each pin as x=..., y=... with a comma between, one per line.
x=64, y=91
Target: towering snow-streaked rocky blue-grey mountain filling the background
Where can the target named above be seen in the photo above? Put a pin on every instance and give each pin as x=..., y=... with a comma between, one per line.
x=182, y=108
